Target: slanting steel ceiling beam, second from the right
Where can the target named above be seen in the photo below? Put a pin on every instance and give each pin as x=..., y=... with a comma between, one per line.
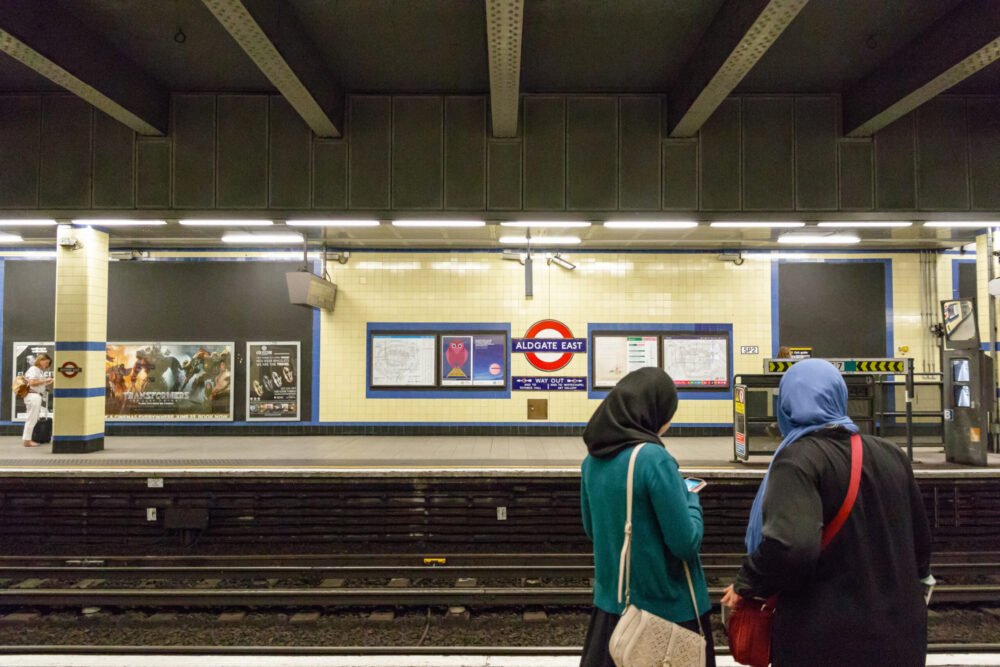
x=741, y=32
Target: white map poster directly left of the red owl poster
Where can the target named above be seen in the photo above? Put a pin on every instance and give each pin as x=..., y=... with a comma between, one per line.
x=400, y=360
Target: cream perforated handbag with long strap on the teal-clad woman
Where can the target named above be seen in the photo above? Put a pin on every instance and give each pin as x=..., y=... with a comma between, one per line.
x=643, y=639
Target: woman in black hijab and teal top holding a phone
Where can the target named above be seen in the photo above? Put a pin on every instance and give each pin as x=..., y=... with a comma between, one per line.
x=666, y=517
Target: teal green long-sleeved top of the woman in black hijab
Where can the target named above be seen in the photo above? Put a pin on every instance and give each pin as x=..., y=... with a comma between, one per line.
x=666, y=528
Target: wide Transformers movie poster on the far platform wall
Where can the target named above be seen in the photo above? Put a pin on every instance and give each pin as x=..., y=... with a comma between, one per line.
x=169, y=382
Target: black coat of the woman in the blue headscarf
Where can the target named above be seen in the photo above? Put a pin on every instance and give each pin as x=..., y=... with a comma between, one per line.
x=858, y=602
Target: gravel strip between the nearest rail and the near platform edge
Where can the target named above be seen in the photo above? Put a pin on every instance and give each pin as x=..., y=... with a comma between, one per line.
x=567, y=627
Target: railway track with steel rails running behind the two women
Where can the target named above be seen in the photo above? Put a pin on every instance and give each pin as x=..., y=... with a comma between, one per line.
x=360, y=580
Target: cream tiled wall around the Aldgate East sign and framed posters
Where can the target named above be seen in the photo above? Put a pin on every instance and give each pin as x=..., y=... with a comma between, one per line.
x=605, y=288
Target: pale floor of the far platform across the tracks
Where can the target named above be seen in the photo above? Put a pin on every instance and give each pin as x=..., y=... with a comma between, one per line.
x=385, y=452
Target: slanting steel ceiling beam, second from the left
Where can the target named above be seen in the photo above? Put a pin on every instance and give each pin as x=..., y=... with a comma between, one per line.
x=272, y=36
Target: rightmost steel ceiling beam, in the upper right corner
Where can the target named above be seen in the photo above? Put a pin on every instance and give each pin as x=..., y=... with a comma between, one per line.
x=956, y=47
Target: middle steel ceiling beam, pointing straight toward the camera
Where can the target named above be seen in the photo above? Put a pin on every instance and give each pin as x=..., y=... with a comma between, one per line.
x=504, y=19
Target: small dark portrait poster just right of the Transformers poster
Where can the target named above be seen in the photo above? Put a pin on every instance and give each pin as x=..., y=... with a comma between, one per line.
x=273, y=389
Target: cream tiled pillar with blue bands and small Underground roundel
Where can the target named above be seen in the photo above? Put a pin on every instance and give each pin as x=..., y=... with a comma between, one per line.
x=81, y=335
